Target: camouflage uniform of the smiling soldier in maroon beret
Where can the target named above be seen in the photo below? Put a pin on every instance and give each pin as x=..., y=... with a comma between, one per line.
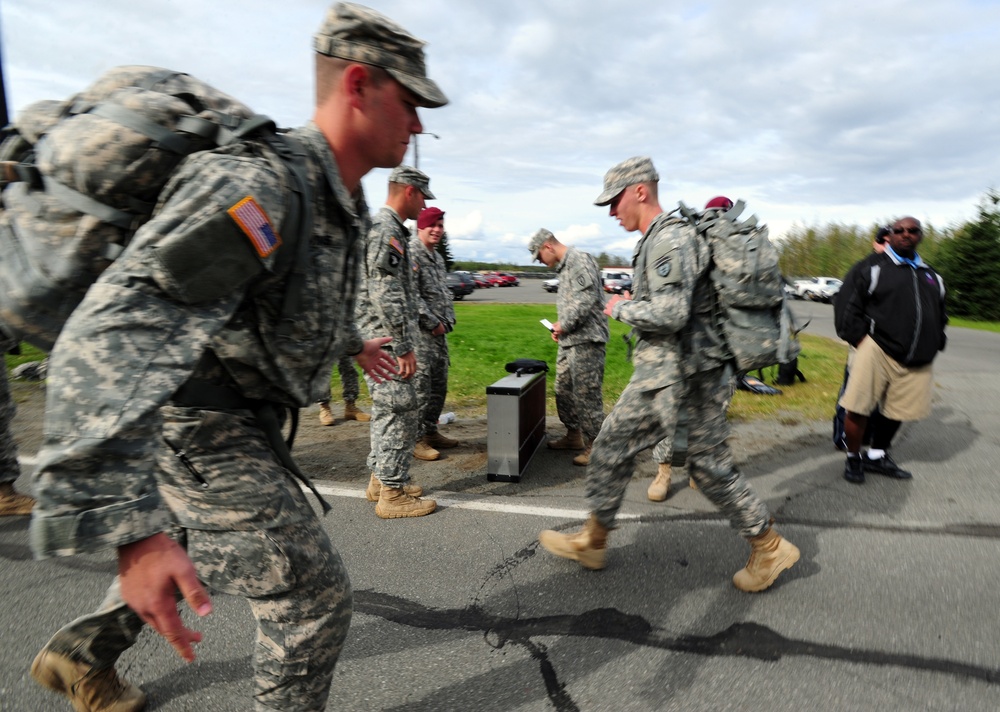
x=435, y=305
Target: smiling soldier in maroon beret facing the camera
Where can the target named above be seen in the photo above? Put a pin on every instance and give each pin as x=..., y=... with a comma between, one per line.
x=436, y=321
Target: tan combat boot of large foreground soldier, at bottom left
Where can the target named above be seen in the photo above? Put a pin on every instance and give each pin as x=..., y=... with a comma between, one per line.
x=89, y=689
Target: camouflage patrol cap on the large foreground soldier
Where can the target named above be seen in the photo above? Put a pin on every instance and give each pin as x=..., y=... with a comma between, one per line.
x=360, y=34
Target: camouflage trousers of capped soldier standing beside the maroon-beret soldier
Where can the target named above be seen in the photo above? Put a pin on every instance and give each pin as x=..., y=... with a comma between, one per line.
x=393, y=430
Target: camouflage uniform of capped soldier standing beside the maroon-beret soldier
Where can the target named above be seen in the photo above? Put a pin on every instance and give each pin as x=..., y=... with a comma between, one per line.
x=387, y=307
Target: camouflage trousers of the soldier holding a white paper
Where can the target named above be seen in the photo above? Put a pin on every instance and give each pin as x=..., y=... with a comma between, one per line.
x=579, y=384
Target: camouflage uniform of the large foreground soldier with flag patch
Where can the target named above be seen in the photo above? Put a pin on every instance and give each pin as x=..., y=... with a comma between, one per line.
x=158, y=391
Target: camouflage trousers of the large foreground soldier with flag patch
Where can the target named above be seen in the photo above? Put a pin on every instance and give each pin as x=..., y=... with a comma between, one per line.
x=274, y=552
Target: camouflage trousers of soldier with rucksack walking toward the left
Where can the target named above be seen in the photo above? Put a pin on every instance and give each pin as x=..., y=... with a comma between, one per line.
x=640, y=419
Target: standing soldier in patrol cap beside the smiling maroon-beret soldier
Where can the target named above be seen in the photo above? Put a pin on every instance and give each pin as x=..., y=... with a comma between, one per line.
x=387, y=307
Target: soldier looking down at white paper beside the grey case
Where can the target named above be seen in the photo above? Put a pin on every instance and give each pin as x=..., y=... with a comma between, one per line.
x=582, y=334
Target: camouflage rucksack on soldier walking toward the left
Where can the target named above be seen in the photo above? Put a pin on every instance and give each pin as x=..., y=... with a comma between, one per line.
x=754, y=317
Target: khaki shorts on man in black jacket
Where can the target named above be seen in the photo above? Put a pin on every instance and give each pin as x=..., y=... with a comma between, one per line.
x=876, y=379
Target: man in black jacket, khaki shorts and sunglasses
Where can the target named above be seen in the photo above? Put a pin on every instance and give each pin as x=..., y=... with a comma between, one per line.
x=891, y=307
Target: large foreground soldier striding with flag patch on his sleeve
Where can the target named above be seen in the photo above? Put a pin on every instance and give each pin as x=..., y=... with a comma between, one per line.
x=167, y=384
